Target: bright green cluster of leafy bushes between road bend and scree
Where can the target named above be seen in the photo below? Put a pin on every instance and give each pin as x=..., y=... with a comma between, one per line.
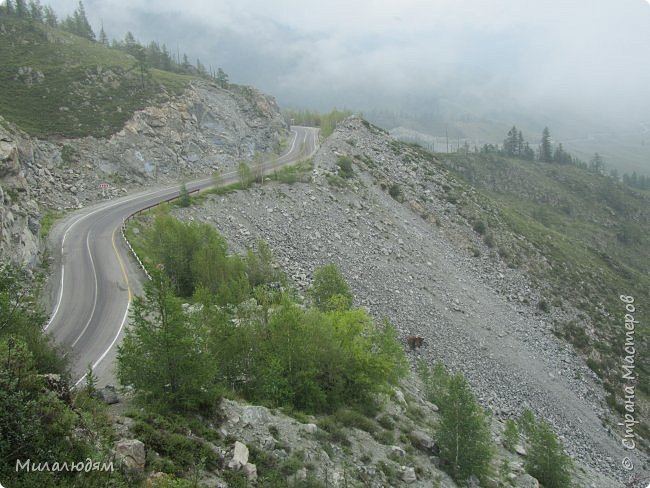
x=246, y=332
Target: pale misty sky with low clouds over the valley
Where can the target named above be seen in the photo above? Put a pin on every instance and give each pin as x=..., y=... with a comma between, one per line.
x=588, y=57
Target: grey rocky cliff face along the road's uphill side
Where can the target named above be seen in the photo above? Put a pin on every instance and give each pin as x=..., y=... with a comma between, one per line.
x=207, y=129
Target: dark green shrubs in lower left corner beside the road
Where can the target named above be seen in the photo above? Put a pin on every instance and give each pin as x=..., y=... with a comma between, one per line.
x=41, y=420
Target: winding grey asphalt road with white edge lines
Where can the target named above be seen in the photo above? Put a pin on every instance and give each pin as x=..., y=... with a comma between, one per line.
x=95, y=276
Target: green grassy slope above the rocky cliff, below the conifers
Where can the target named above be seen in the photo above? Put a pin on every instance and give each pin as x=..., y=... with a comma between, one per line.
x=54, y=82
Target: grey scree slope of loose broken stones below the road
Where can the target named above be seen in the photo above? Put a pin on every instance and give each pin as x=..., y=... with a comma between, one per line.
x=411, y=255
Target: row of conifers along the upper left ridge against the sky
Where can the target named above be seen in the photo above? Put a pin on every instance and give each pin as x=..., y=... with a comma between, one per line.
x=151, y=55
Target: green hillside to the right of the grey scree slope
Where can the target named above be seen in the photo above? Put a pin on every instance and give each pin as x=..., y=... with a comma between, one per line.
x=586, y=243
